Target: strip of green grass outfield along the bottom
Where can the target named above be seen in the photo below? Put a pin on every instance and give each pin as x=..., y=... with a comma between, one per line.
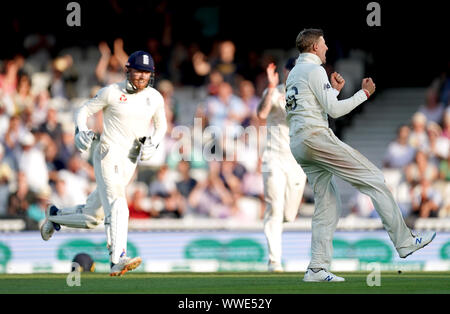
x=226, y=283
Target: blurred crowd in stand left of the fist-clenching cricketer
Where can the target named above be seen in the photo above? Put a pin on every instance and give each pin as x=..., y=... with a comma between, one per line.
x=40, y=165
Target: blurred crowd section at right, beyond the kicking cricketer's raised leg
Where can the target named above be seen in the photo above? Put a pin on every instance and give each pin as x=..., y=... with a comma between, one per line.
x=416, y=164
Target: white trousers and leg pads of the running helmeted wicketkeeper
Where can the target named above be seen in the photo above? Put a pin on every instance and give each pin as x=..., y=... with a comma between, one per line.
x=113, y=172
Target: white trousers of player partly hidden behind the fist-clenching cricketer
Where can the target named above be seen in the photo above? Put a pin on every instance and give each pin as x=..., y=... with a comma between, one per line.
x=284, y=182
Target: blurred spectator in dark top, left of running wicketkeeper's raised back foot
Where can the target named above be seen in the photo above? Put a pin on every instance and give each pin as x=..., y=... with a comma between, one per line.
x=20, y=199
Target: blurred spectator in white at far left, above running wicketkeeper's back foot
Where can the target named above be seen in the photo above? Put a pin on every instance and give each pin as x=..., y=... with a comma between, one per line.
x=31, y=162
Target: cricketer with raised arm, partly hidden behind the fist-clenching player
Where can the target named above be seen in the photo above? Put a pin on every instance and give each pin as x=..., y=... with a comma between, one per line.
x=284, y=179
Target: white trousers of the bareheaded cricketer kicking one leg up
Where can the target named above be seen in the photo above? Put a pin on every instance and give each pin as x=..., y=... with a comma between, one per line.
x=321, y=155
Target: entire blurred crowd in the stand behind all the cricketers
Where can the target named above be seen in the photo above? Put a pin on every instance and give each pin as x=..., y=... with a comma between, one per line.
x=40, y=165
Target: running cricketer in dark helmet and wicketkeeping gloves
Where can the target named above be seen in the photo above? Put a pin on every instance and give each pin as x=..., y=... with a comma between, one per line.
x=128, y=108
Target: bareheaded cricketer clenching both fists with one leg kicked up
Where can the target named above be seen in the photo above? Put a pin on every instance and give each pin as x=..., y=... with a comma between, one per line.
x=309, y=99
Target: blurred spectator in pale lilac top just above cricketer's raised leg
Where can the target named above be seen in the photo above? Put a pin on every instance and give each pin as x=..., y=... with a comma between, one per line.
x=399, y=153
